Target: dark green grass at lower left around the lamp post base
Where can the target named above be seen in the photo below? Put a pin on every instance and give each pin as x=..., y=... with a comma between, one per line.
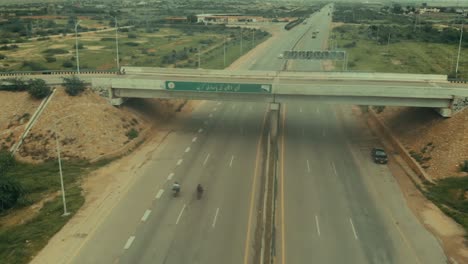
x=21, y=241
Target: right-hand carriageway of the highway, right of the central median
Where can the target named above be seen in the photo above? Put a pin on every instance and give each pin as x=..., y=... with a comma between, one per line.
x=336, y=206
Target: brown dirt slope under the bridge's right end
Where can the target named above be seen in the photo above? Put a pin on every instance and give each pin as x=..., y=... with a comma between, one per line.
x=439, y=144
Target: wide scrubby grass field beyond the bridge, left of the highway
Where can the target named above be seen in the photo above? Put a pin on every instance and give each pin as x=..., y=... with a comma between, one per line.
x=141, y=49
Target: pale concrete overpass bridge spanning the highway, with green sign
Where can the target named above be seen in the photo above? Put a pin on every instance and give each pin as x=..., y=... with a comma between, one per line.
x=386, y=89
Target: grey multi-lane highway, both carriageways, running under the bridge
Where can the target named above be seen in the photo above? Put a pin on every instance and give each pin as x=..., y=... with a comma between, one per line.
x=334, y=205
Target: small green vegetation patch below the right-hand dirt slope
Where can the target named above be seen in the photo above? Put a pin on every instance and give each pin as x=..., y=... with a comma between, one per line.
x=451, y=196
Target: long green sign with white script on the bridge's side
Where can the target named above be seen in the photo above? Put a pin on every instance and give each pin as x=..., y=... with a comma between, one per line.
x=218, y=87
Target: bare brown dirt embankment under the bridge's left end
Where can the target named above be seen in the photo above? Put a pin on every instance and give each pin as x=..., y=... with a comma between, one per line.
x=88, y=127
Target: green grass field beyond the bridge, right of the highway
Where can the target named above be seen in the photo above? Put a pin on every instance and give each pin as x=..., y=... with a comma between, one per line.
x=399, y=57
